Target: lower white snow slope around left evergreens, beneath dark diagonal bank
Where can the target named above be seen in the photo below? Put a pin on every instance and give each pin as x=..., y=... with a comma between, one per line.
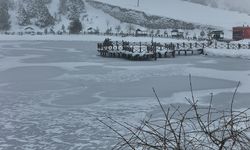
x=92, y=18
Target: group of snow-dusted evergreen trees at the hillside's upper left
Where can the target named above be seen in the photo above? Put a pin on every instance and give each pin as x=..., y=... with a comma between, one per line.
x=36, y=12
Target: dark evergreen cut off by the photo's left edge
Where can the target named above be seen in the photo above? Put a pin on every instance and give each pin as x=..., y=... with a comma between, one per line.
x=4, y=15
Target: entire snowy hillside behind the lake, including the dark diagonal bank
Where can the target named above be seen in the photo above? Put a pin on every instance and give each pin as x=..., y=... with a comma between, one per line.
x=158, y=14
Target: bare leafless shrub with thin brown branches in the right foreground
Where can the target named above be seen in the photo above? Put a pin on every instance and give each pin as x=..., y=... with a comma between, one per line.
x=192, y=129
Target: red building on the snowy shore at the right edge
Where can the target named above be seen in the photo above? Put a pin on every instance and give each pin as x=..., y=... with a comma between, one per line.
x=240, y=33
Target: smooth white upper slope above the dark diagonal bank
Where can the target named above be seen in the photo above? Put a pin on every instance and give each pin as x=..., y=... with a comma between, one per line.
x=185, y=11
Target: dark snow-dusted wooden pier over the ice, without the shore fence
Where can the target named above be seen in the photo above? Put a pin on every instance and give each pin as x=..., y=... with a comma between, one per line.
x=147, y=51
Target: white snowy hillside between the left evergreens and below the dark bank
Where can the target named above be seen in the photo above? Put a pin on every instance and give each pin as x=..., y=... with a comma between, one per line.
x=90, y=18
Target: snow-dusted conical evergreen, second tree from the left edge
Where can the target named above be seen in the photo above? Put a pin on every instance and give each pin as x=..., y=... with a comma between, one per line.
x=22, y=16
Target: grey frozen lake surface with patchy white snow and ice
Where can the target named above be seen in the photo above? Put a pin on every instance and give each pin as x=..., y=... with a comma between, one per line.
x=52, y=92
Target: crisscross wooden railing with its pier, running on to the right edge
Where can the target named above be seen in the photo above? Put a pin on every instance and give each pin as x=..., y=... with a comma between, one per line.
x=153, y=50
